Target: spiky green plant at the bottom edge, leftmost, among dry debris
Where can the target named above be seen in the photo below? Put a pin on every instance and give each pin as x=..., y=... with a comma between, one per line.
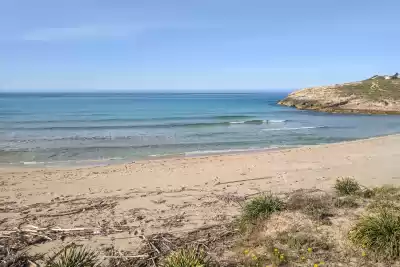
x=74, y=256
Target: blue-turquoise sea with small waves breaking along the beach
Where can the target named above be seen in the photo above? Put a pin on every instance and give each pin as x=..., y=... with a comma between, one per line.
x=58, y=129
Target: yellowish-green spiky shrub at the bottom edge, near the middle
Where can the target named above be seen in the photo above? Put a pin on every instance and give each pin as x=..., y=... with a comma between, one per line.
x=189, y=257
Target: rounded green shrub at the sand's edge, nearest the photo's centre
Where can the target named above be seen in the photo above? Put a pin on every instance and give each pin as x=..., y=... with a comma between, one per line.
x=261, y=207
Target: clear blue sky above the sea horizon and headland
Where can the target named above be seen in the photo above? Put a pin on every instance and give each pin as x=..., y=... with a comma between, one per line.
x=193, y=45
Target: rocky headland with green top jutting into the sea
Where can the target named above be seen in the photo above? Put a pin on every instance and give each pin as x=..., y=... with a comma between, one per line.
x=377, y=95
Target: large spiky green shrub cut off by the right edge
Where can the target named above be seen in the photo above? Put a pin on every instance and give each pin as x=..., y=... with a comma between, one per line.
x=379, y=233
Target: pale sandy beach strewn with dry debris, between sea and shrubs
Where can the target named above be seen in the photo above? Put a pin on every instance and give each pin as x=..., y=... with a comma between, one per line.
x=117, y=203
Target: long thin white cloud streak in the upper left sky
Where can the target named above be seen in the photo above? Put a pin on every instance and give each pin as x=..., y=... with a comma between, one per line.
x=78, y=33
